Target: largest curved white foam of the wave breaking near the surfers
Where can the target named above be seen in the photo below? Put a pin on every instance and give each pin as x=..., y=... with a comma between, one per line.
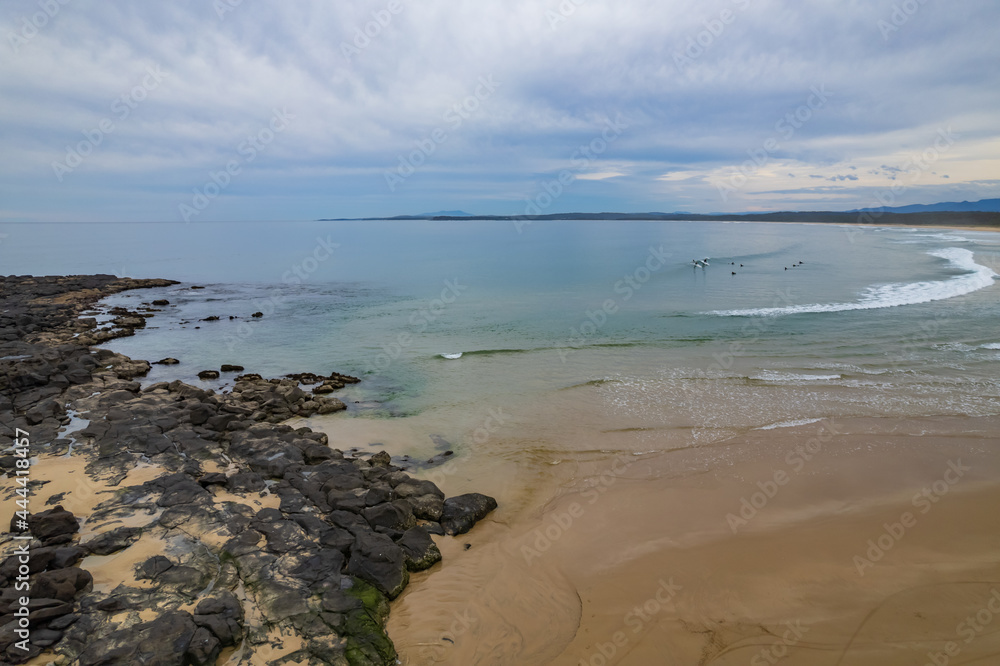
x=976, y=277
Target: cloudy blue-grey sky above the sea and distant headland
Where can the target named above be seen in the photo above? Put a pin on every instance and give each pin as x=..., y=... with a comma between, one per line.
x=204, y=110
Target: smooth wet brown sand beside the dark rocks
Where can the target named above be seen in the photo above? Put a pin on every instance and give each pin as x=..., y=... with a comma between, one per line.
x=630, y=559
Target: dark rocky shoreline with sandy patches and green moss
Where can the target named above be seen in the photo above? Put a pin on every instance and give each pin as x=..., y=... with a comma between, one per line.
x=264, y=544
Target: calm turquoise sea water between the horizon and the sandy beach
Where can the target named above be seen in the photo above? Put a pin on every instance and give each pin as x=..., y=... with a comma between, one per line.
x=571, y=326
